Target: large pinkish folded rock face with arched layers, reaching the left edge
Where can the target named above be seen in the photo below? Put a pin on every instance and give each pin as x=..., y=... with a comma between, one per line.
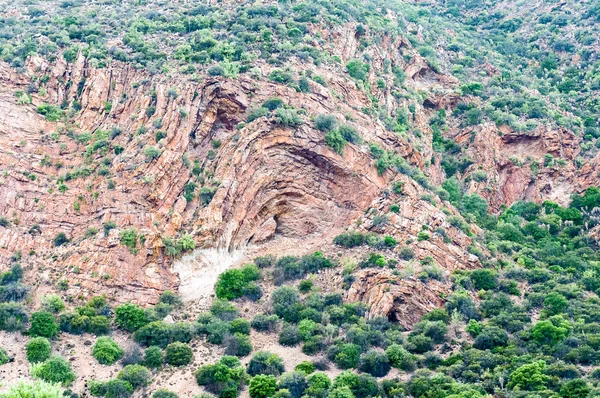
x=266, y=179
